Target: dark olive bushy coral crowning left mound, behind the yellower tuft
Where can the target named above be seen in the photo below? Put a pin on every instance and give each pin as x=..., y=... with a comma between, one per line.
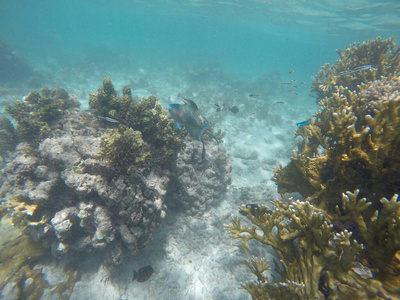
x=146, y=117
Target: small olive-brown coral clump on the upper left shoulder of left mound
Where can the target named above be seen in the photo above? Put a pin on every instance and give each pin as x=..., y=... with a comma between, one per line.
x=37, y=112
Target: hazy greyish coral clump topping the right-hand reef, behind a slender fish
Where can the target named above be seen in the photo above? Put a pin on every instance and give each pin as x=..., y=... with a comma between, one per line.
x=383, y=55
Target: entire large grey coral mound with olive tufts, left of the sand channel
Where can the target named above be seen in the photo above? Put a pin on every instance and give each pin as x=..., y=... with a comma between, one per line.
x=88, y=187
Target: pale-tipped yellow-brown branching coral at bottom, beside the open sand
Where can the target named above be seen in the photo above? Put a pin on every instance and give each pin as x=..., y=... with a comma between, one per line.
x=315, y=261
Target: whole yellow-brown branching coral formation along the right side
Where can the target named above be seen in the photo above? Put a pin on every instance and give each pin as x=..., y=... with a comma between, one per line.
x=338, y=244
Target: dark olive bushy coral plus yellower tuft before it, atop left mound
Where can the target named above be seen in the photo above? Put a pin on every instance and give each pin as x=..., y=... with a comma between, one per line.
x=158, y=141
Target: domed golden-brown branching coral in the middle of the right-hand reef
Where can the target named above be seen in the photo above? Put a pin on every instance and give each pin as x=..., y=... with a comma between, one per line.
x=353, y=142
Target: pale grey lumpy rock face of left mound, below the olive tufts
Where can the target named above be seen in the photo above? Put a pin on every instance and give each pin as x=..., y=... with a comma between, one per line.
x=84, y=201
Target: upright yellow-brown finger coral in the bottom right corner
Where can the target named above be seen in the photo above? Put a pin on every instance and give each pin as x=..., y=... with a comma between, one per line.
x=380, y=235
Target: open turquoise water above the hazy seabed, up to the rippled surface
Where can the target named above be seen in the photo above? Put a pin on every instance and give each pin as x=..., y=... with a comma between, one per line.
x=245, y=38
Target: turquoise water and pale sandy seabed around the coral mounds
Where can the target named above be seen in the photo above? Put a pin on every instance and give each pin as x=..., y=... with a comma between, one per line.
x=216, y=53
